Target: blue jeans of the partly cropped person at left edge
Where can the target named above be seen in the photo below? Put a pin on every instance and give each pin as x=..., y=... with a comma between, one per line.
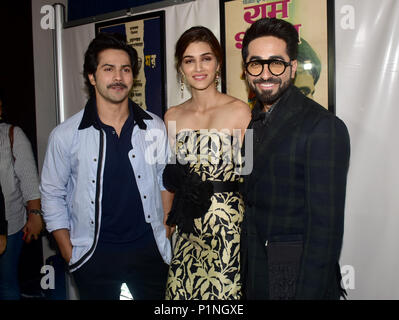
x=9, y=282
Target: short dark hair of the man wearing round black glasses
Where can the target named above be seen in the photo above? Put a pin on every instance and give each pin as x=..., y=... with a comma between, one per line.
x=272, y=27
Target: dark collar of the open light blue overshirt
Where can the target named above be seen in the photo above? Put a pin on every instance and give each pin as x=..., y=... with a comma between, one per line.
x=90, y=115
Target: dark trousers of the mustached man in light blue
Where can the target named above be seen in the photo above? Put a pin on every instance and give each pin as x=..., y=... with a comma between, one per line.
x=140, y=266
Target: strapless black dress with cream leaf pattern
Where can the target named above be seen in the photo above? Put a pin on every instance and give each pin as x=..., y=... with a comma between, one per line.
x=206, y=261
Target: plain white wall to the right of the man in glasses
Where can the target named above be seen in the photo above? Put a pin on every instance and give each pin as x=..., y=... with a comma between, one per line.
x=367, y=77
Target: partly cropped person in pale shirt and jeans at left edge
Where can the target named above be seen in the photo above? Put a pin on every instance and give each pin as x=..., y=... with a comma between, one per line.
x=20, y=186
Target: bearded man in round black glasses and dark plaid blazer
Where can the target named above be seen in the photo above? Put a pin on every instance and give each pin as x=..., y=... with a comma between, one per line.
x=295, y=195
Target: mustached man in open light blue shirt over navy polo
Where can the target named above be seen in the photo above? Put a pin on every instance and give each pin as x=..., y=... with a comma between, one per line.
x=101, y=184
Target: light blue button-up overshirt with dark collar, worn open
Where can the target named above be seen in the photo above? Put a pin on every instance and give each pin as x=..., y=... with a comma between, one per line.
x=72, y=176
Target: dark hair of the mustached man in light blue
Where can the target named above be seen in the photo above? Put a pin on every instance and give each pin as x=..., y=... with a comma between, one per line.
x=101, y=42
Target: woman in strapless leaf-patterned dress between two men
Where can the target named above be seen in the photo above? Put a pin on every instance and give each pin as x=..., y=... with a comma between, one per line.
x=206, y=133
